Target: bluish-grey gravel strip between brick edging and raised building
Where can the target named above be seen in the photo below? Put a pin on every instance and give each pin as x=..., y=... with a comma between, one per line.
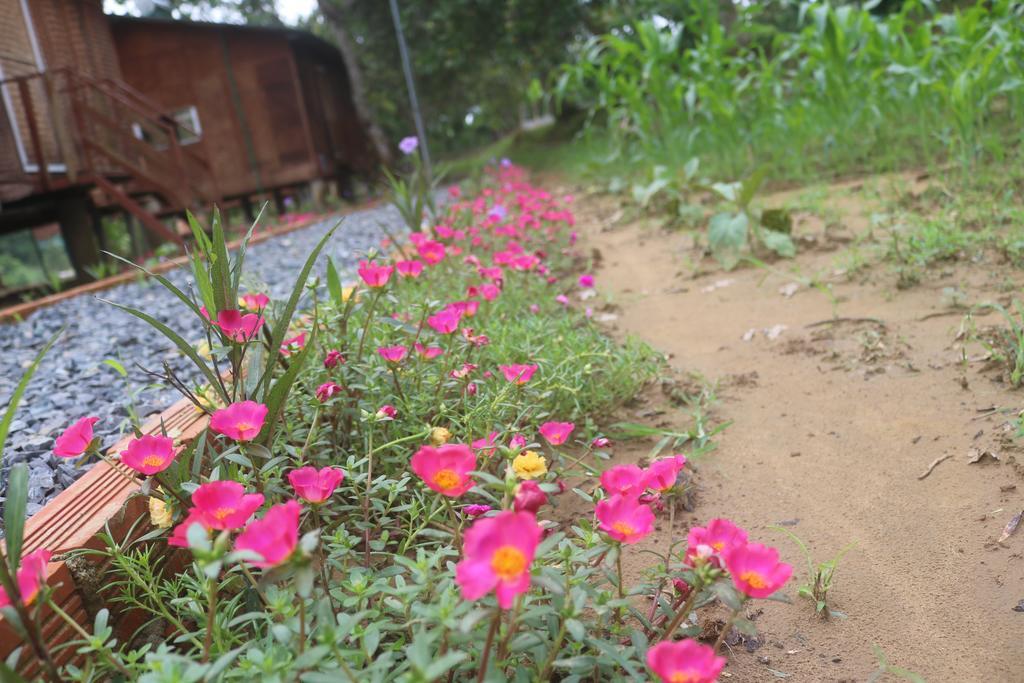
x=74, y=381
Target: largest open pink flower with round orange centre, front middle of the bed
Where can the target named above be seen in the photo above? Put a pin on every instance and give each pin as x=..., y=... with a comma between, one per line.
x=497, y=557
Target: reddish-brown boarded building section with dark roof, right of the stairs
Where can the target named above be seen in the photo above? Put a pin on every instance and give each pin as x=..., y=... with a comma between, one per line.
x=272, y=107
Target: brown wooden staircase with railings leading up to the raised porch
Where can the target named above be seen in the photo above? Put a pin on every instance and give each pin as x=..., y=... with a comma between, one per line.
x=104, y=136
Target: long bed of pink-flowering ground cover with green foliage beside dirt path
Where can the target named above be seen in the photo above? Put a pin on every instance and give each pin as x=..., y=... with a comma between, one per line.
x=379, y=495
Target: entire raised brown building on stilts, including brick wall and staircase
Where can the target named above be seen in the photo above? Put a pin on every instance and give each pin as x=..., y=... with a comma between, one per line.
x=148, y=118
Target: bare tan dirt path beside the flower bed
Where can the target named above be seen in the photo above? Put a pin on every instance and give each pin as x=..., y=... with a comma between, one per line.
x=833, y=426
